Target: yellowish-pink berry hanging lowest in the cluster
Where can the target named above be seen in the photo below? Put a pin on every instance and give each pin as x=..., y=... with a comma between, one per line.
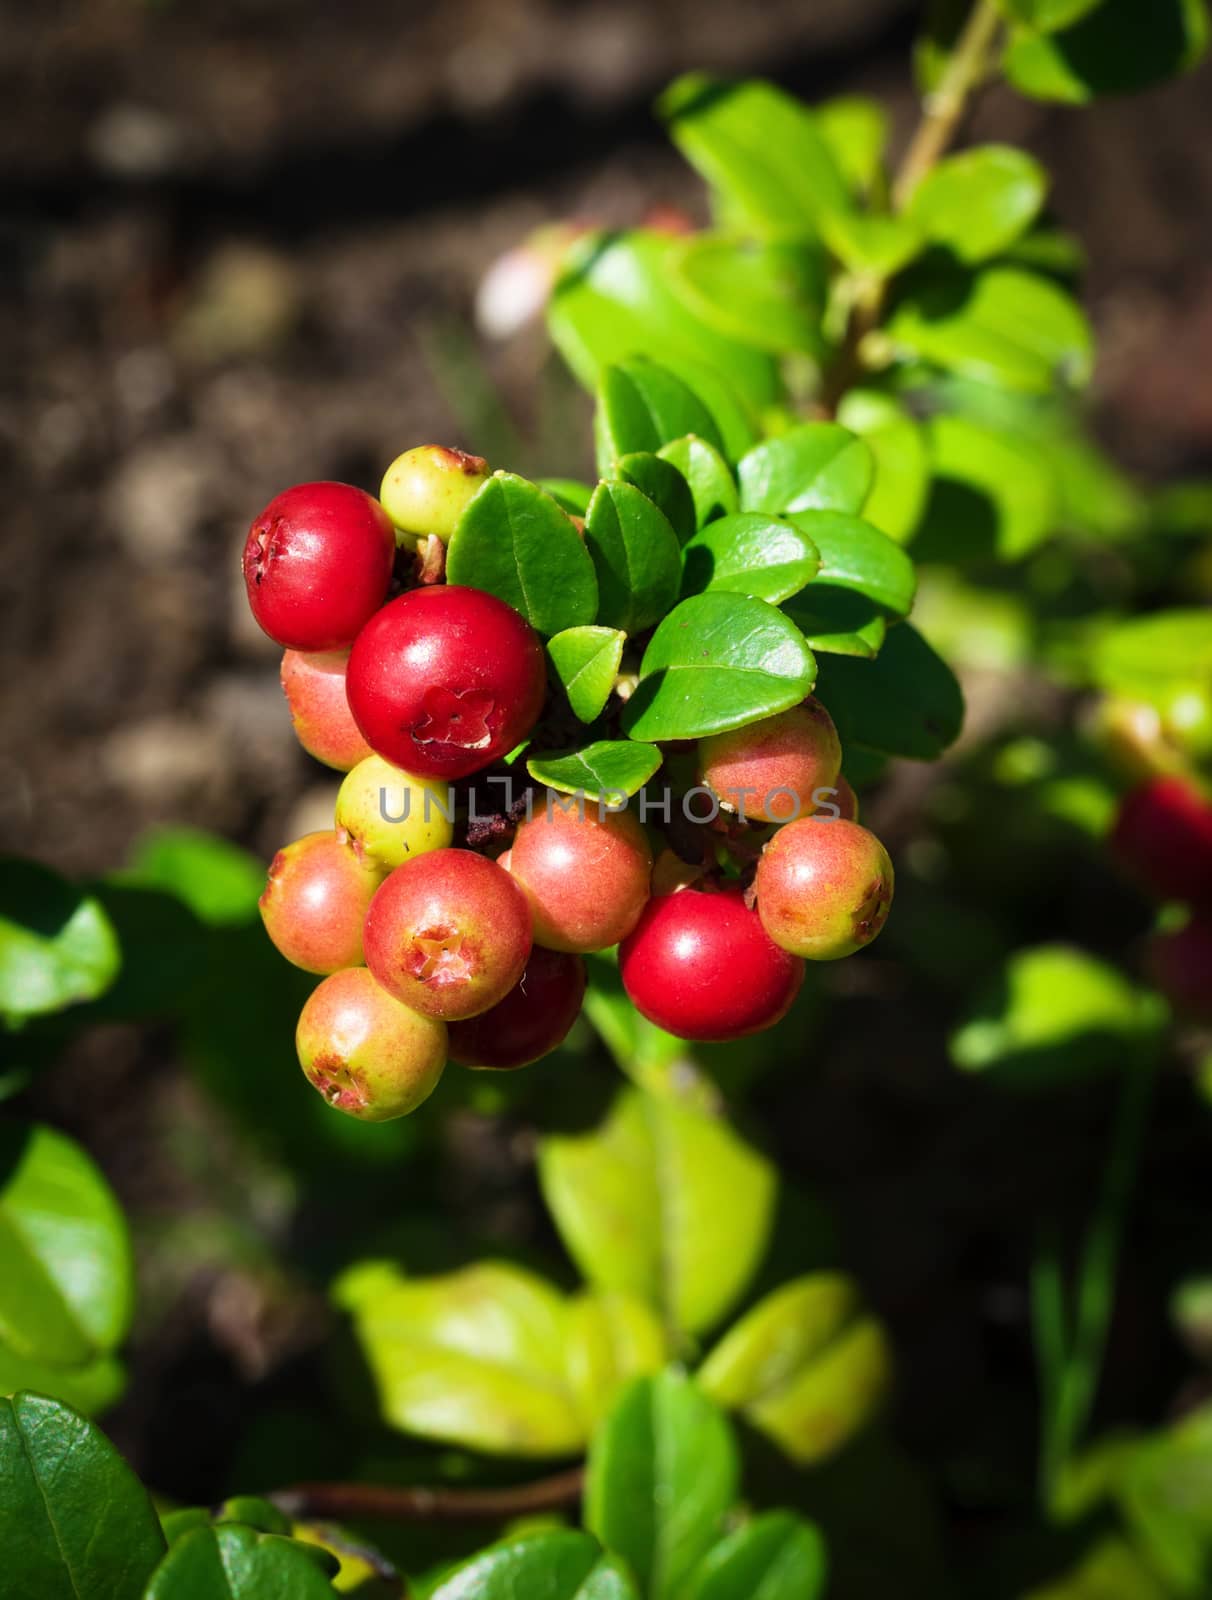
x=367, y=1054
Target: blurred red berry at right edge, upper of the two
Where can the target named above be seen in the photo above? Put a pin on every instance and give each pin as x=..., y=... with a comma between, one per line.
x=1163, y=838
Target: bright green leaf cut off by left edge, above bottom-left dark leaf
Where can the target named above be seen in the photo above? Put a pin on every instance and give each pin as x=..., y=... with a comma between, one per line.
x=66, y=1271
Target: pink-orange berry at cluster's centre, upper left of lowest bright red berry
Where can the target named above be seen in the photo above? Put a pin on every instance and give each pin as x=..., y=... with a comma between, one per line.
x=586, y=873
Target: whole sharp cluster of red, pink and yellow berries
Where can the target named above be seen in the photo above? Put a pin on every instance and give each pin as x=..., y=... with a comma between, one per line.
x=441, y=938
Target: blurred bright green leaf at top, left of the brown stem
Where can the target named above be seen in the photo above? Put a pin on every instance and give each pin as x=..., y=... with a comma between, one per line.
x=762, y=150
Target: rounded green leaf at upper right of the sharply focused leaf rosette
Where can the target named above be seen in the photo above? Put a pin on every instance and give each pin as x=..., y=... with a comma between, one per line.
x=810, y=468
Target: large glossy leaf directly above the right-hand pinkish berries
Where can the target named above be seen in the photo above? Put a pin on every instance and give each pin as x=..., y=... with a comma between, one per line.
x=716, y=663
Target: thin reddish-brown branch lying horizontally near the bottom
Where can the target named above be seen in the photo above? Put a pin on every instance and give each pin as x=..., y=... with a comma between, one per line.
x=388, y=1503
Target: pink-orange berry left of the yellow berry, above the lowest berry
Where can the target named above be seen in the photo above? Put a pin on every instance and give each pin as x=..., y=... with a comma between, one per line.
x=316, y=902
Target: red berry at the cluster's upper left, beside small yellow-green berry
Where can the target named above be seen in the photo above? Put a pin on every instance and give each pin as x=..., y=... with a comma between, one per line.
x=317, y=564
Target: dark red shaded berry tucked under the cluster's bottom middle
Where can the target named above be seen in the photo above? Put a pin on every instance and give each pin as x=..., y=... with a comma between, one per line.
x=532, y=1020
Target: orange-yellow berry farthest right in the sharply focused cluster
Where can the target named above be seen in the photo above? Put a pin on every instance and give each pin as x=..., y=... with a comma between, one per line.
x=824, y=889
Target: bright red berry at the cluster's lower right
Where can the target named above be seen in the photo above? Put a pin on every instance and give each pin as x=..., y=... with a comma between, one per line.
x=701, y=966
